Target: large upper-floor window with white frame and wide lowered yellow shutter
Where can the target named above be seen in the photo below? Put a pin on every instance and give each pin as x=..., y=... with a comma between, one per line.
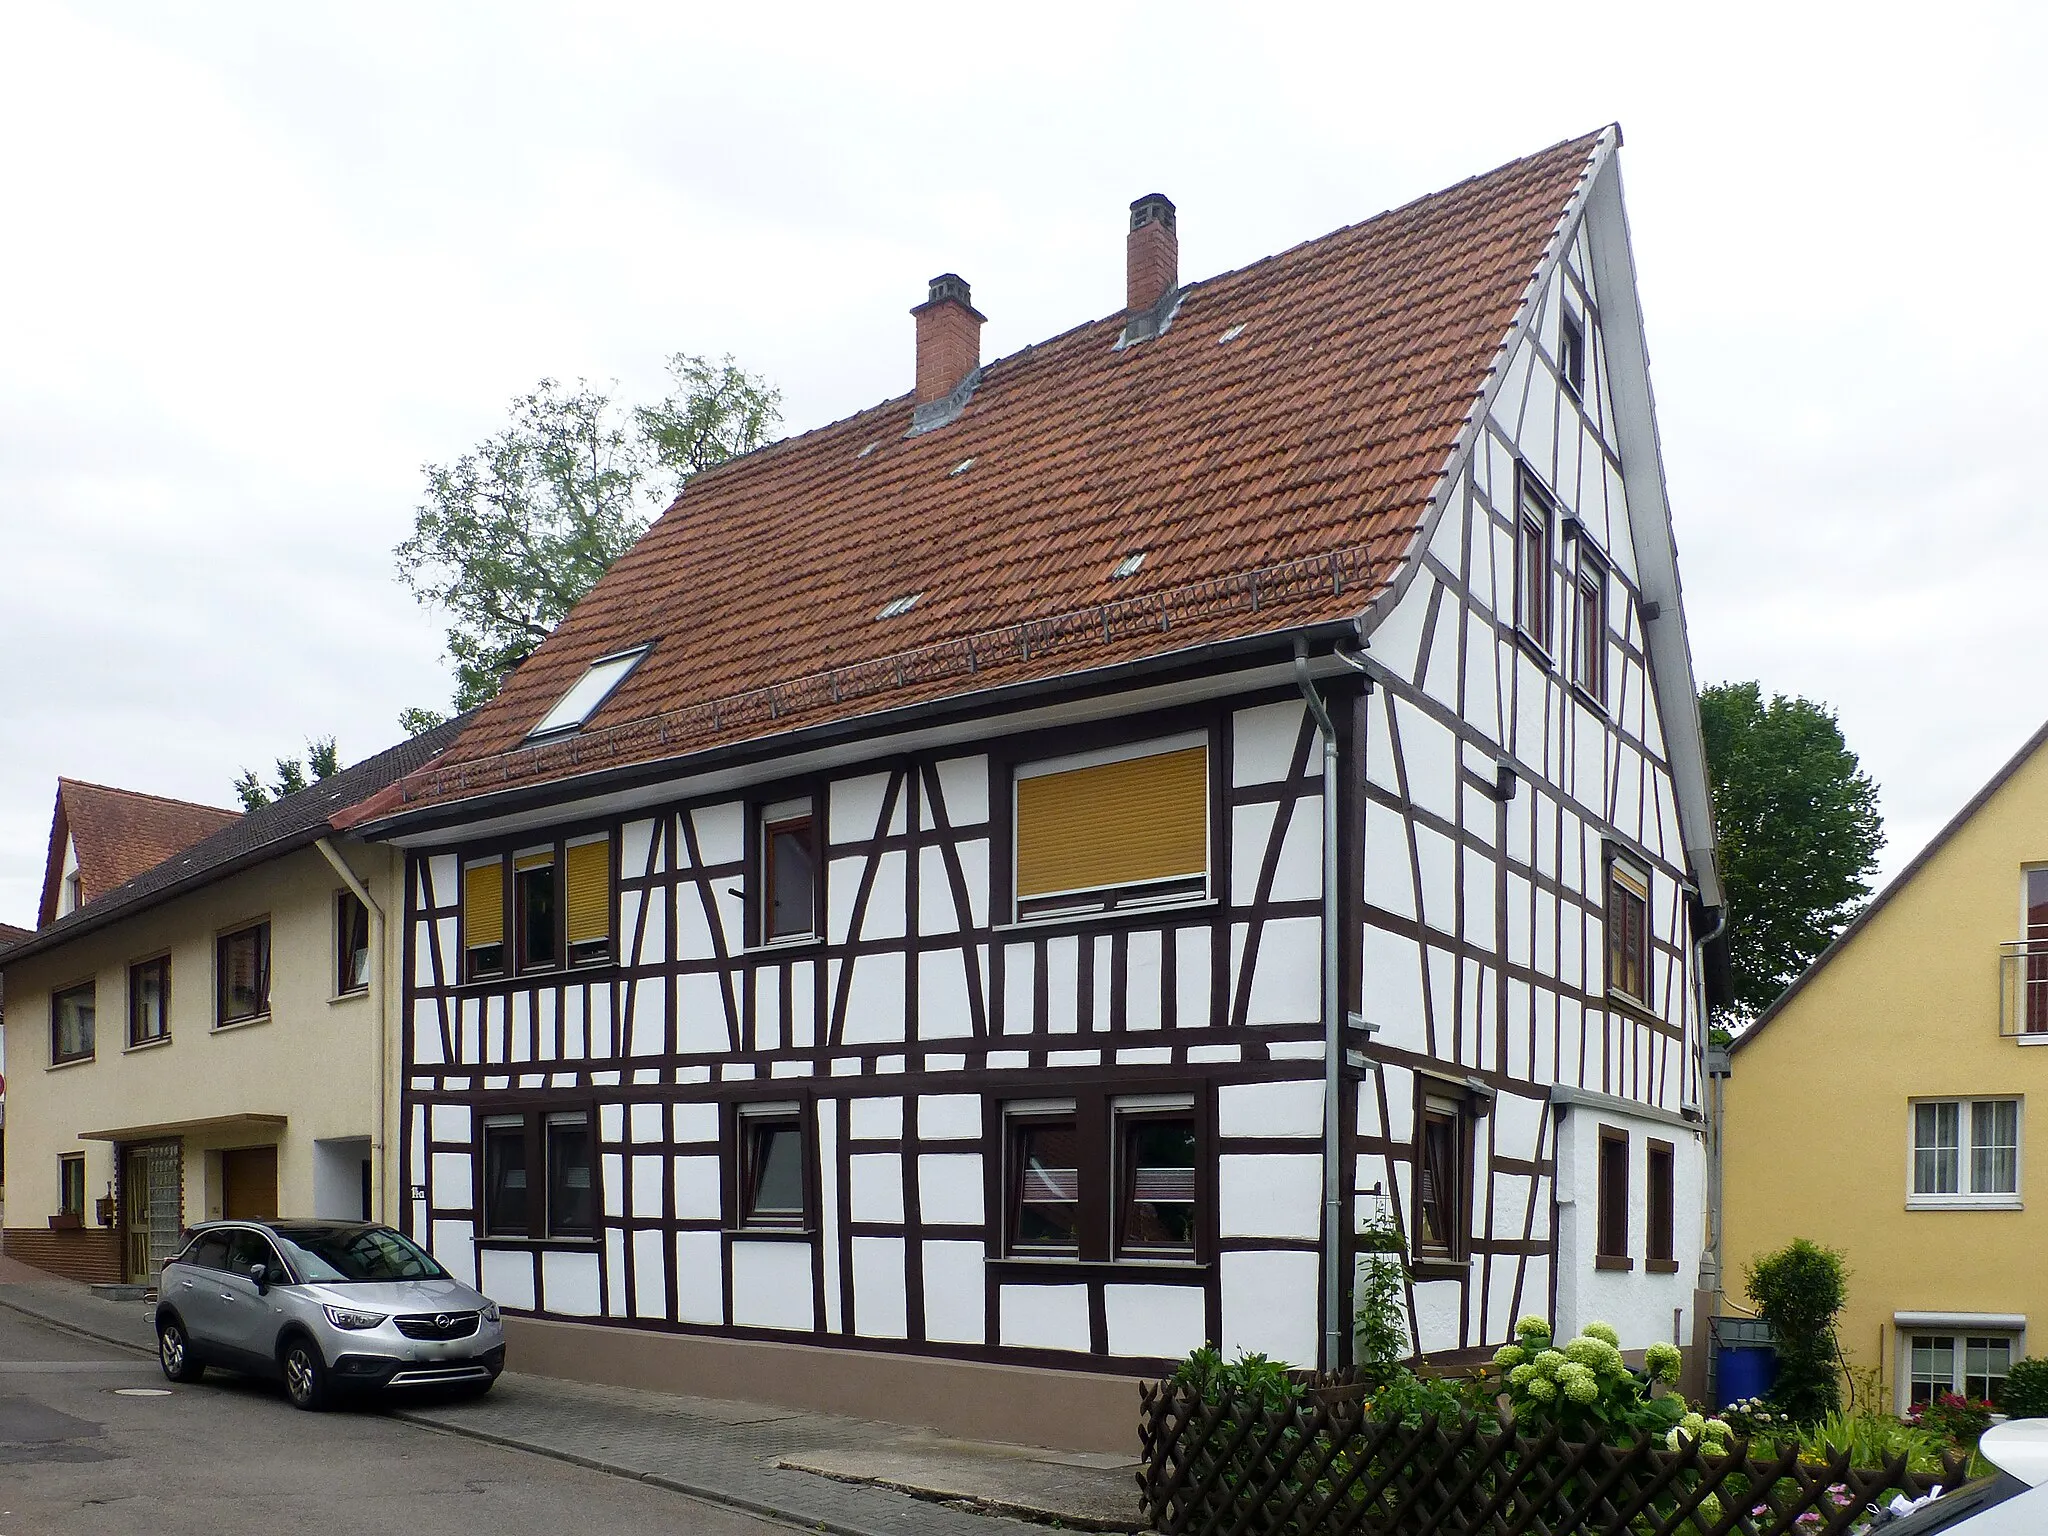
x=1113, y=828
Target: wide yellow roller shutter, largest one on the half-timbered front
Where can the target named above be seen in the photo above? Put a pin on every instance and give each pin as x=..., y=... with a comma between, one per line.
x=1115, y=824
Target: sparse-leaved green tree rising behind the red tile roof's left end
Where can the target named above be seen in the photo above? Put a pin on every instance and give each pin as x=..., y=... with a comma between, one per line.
x=517, y=531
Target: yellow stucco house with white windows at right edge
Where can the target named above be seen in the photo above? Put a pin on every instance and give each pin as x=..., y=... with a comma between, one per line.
x=1883, y=1107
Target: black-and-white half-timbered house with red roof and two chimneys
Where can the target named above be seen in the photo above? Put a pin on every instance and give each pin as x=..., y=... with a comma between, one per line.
x=1013, y=880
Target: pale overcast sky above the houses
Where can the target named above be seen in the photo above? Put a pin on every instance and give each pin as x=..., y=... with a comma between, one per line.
x=261, y=263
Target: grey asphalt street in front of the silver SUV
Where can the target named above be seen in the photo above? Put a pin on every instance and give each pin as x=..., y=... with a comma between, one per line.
x=95, y=1443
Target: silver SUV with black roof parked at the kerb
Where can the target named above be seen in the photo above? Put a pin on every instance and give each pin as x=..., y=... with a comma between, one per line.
x=325, y=1306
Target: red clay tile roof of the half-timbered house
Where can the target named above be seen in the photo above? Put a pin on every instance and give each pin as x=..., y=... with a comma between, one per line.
x=1273, y=480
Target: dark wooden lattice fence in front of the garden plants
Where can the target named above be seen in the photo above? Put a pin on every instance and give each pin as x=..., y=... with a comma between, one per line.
x=1326, y=1467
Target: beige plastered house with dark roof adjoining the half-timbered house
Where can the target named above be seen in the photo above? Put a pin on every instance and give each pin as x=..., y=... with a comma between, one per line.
x=210, y=1039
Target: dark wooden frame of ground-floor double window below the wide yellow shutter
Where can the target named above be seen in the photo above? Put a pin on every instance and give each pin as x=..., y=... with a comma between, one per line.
x=1099, y=1111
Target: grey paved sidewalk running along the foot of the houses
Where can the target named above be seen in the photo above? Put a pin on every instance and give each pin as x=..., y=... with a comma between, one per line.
x=828, y=1474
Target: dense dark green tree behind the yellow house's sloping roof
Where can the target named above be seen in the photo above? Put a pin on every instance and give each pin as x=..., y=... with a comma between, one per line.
x=1799, y=833
